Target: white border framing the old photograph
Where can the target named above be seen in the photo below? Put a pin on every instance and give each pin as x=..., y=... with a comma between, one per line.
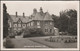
x=38, y=48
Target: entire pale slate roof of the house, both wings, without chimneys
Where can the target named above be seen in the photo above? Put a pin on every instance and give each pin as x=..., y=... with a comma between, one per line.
x=37, y=16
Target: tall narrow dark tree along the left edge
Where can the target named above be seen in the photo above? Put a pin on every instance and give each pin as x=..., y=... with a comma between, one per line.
x=5, y=21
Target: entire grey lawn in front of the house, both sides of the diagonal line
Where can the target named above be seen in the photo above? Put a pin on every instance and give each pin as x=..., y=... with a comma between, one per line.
x=39, y=42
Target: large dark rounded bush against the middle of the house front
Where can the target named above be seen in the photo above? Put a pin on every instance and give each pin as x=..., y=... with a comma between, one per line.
x=33, y=32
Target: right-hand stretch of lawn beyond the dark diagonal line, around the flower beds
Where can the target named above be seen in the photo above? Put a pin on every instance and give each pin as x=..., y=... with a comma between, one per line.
x=41, y=40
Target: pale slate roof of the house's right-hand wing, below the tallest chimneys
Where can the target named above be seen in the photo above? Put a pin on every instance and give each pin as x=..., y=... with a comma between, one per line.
x=44, y=16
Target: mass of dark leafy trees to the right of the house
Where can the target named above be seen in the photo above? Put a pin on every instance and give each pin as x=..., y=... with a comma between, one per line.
x=67, y=21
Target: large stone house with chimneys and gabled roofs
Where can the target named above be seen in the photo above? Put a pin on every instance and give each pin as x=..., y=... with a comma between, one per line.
x=39, y=19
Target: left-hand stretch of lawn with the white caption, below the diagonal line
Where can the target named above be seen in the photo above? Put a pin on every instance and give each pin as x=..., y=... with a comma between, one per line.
x=26, y=43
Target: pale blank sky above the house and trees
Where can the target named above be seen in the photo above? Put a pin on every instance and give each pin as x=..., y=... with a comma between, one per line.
x=53, y=7
